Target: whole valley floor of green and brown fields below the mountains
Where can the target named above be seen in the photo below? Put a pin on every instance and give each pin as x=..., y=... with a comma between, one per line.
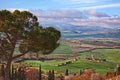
x=99, y=54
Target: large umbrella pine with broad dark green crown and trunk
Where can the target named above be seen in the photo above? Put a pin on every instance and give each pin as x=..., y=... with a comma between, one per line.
x=22, y=29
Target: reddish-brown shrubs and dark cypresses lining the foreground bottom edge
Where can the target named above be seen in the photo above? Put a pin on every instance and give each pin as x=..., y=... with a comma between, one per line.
x=21, y=72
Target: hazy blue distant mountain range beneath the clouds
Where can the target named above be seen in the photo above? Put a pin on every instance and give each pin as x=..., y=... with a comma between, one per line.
x=72, y=31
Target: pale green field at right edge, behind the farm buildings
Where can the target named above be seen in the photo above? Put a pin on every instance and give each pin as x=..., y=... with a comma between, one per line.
x=111, y=55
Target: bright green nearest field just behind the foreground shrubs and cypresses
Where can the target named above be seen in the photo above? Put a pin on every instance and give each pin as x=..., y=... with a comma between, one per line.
x=75, y=66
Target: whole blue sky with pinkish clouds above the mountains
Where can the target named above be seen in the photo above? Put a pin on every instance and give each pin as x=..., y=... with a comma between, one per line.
x=103, y=13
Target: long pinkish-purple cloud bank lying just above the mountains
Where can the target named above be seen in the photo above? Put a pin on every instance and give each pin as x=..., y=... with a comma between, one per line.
x=76, y=17
